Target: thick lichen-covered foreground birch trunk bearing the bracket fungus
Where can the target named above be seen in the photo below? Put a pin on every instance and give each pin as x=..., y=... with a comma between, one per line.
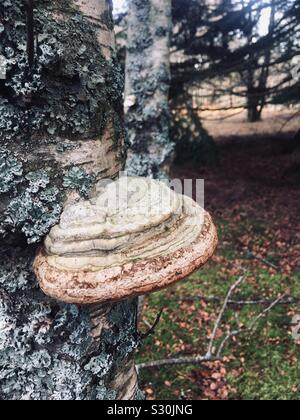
x=61, y=130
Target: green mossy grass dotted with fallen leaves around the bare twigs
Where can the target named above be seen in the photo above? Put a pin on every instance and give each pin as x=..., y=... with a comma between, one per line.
x=262, y=366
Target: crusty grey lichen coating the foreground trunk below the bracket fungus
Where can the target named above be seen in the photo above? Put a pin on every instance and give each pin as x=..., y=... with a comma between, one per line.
x=46, y=348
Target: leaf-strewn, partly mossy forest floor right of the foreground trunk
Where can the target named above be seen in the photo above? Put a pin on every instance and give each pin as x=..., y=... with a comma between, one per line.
x=254, y=197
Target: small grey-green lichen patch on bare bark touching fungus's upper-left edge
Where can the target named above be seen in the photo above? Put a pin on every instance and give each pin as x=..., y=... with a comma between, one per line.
x=78, y=179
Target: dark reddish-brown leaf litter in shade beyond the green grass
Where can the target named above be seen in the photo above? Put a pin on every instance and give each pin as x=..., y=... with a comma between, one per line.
x=259, y=189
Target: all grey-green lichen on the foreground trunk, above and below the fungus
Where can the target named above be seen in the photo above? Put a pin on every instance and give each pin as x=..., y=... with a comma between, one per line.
x=68, y=94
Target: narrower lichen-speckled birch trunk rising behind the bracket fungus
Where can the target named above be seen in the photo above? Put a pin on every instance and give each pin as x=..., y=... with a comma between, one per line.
x=147, y=87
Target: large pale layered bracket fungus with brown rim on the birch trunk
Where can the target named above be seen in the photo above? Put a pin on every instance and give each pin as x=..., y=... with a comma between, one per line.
x=134, y=237
